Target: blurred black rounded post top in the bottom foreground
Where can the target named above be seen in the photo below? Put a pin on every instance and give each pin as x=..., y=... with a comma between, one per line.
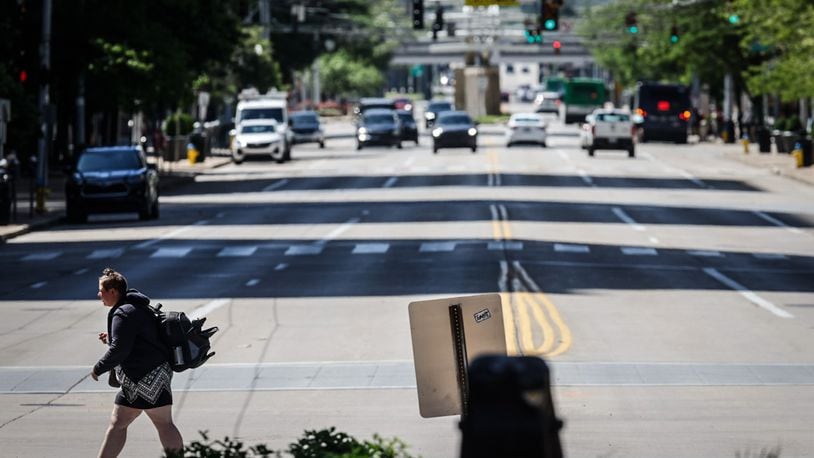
x=510, y=410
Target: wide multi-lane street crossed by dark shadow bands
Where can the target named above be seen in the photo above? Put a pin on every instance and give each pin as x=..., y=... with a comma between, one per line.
x=672, y=294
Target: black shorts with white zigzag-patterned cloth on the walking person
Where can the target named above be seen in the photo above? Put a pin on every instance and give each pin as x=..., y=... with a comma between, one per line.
x=151, y=391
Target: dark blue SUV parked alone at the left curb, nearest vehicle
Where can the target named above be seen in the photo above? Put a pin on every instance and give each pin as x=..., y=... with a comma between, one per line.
x=112, y=179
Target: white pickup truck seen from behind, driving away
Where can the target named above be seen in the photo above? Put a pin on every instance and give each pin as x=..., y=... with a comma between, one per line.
x=608, y=129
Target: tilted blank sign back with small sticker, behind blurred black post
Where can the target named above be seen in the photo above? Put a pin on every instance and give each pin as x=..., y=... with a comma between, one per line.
x=433, y=347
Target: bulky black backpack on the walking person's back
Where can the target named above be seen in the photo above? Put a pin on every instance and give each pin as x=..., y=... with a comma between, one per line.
x=187, y=342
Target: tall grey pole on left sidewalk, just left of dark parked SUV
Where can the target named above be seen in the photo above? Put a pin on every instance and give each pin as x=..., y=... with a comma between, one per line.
x=44, y=102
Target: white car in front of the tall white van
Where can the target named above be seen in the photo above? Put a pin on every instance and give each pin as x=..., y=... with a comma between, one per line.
x=258, y=137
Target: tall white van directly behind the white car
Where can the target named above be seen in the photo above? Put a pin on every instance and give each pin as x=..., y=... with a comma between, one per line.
x=271, y=105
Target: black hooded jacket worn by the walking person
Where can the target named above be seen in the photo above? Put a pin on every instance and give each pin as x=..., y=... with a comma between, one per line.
x=132, y=334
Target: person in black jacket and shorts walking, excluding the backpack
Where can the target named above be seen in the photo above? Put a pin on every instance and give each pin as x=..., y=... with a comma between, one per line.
x=138, y=363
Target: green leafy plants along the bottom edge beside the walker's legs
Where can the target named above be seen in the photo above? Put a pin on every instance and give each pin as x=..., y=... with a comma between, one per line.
x=325, y=443
